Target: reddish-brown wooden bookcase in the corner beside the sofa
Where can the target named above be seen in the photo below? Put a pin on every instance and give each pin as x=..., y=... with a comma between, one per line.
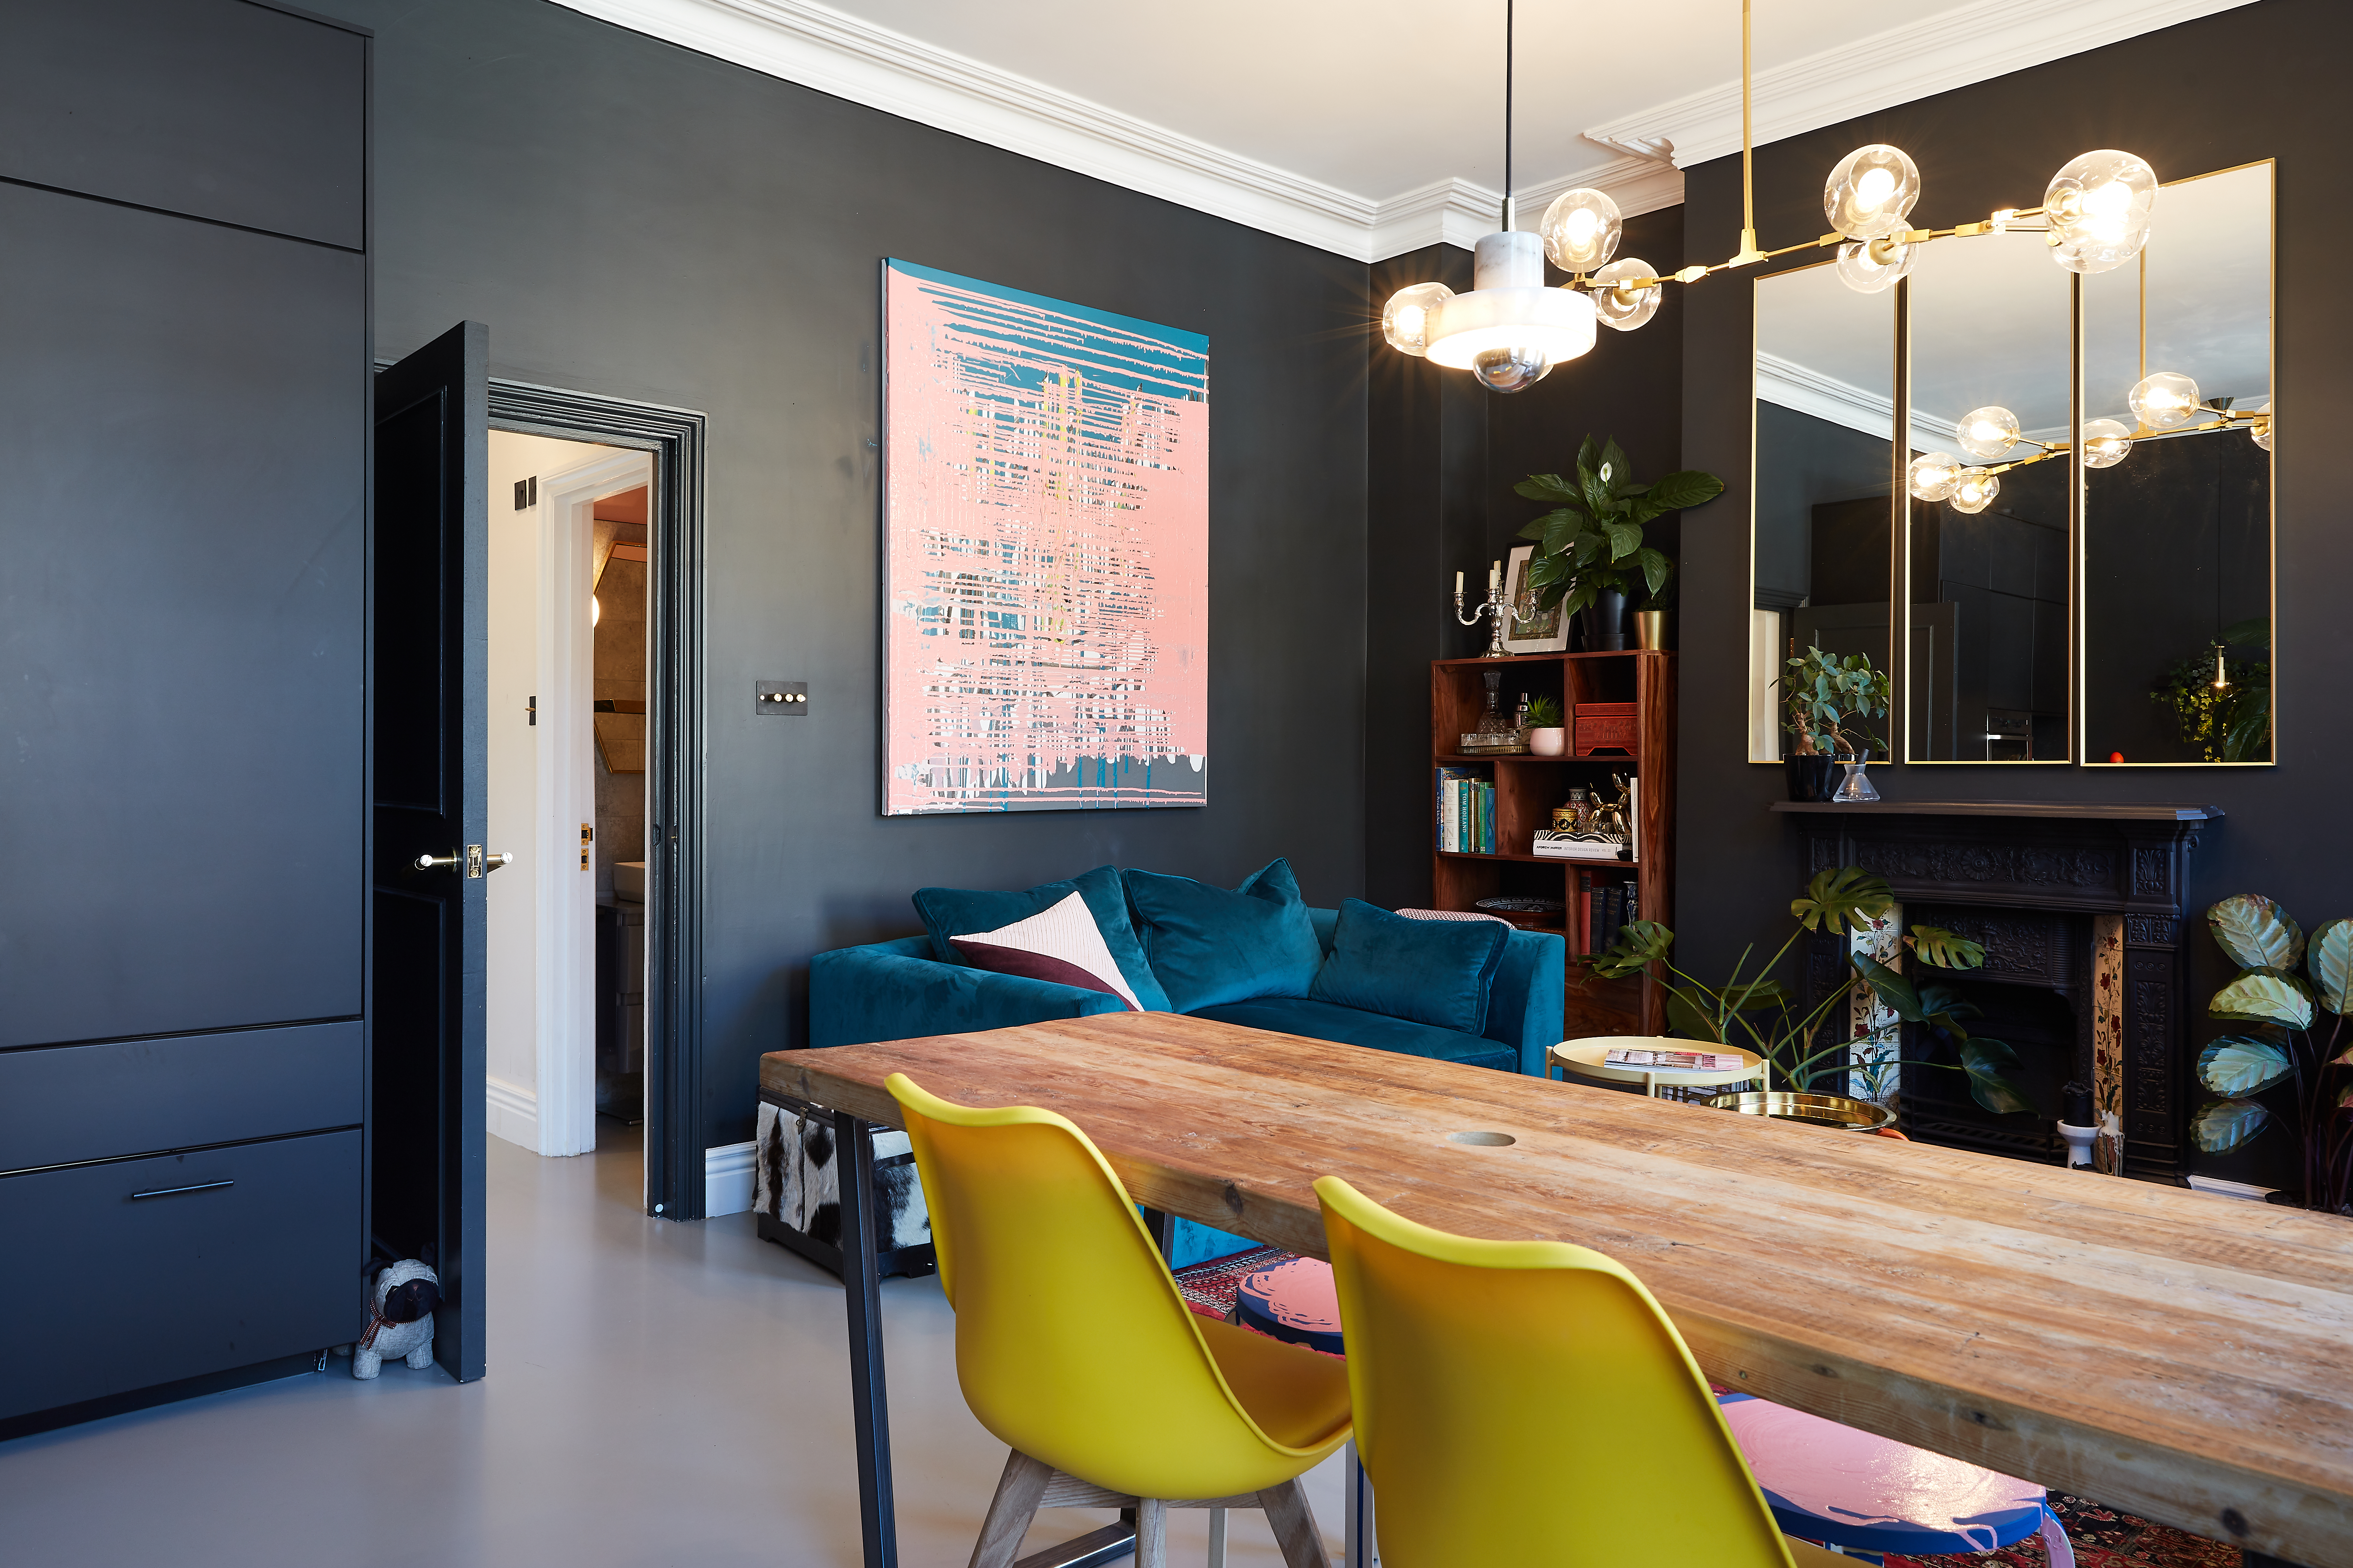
x=1528, y=789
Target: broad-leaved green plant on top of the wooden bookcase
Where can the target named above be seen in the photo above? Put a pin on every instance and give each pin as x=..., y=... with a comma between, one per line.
x=1592, y=540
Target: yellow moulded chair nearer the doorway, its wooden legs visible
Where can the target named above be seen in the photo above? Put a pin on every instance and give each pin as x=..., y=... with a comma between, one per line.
x=1076, y=1348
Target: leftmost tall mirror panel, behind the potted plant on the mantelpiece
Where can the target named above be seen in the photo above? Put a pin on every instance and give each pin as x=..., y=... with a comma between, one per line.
x=1822, y=532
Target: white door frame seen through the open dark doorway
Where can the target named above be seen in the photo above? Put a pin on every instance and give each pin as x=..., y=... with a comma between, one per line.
x=566, y=894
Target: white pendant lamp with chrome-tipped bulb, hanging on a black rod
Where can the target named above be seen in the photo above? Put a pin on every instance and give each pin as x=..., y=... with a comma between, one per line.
x=1509, y=330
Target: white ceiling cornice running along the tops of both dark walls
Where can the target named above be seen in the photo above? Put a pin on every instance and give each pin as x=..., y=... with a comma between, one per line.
x=905, y=76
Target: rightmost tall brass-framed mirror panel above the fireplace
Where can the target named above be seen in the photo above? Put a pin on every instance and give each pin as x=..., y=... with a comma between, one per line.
x=2178, y=502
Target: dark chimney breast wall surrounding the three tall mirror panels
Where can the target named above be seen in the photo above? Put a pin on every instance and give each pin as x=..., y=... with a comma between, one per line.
x=2251, y=83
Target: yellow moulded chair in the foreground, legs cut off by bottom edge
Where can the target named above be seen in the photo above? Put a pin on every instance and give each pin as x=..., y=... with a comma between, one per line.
x=1526, y=1402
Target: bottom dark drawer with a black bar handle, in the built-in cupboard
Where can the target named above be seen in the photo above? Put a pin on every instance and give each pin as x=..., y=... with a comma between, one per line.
x=114, y=1292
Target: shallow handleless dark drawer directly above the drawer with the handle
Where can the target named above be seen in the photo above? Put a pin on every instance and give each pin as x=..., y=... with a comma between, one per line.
x=135, y=1097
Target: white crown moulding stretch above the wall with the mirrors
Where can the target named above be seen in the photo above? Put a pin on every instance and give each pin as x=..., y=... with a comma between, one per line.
x=1968, y=43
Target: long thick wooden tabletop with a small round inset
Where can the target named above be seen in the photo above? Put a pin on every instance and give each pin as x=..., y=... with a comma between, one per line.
x=2149, y=1348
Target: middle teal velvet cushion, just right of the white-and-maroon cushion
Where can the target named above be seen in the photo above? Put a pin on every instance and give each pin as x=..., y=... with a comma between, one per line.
x=1213, y=946
